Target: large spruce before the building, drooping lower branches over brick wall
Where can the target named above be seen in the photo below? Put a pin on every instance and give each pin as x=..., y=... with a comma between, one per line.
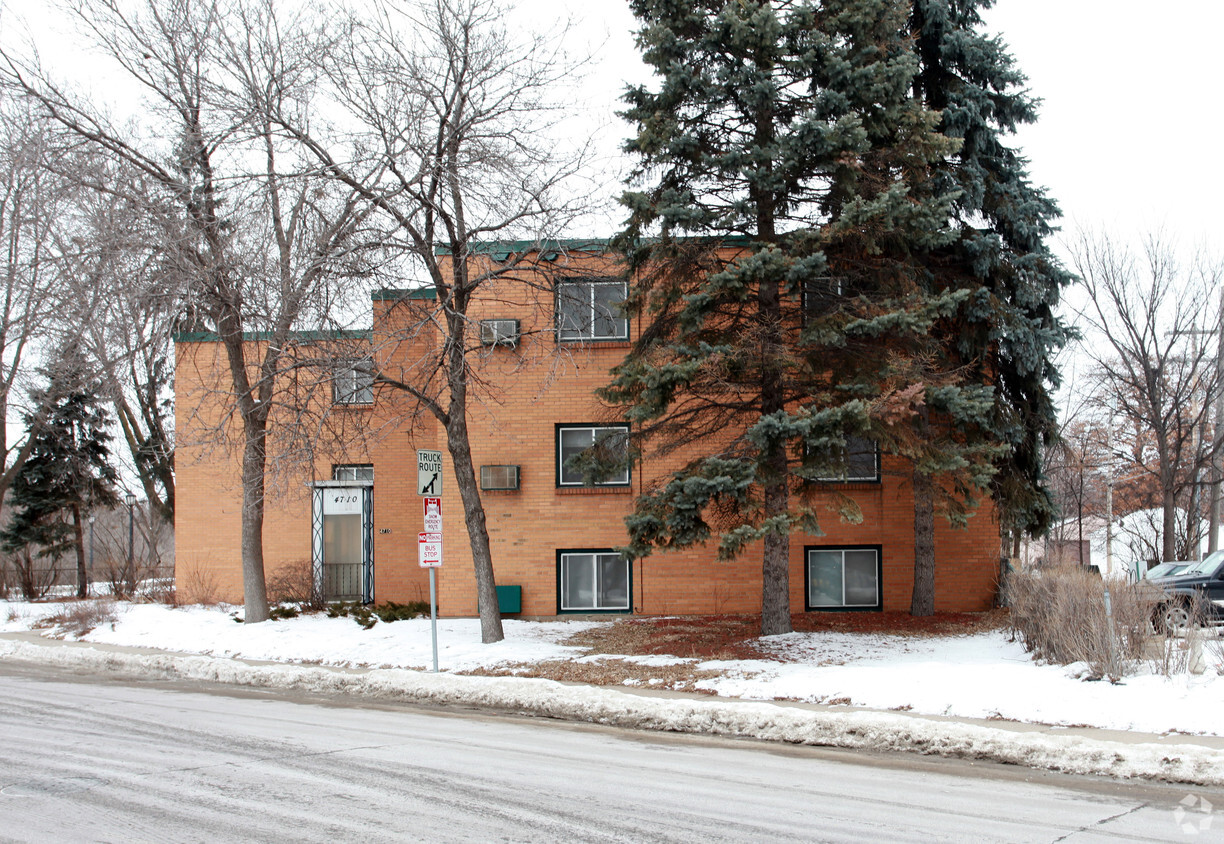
x=778, y=250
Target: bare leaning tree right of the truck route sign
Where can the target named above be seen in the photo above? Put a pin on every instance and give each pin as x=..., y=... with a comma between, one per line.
x=447, y=139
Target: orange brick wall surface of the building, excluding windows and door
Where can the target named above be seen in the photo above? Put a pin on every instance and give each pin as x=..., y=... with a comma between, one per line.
x=524, y=393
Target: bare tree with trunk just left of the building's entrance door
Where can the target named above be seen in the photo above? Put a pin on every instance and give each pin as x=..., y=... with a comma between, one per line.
x=260, y=235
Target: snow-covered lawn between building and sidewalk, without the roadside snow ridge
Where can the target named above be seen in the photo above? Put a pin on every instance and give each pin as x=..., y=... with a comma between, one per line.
x=981, y=676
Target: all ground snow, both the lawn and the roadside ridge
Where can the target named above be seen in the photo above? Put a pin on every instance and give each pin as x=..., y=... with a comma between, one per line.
x=980, y=676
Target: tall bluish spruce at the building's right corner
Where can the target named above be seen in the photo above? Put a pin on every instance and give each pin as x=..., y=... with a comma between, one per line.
x=1008, y=331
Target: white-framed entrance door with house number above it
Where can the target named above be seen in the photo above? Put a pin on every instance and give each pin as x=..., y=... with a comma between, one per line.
x=342, y=546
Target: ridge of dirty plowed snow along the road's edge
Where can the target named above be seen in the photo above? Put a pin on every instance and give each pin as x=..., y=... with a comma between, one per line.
x=1193, y=760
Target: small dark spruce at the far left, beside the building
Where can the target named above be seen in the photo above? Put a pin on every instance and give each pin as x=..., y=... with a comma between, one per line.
x=69, y=472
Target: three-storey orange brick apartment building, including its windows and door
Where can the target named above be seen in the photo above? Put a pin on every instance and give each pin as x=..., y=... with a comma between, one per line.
x=351, y=513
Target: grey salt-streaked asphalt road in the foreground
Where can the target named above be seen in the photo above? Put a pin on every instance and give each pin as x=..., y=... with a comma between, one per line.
x=94, y=759
